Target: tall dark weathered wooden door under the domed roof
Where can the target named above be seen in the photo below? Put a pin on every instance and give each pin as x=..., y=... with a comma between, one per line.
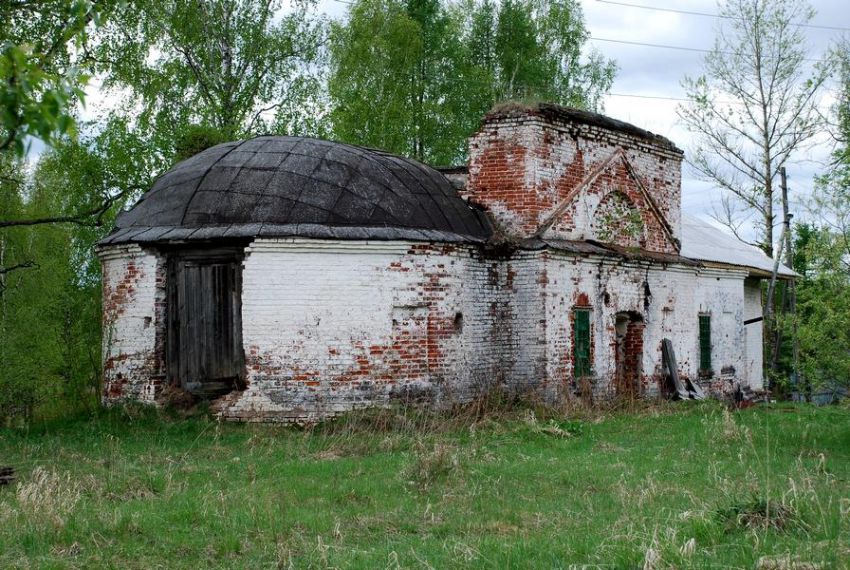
x=205, y=355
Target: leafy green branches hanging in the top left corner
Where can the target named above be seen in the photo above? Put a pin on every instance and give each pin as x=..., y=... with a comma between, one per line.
x=41, y=73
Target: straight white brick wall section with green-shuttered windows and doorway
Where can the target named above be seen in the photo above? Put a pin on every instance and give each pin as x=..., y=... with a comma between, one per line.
x=668, y=299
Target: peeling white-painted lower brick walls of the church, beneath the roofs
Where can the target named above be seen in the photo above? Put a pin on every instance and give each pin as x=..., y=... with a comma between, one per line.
x=331, y=326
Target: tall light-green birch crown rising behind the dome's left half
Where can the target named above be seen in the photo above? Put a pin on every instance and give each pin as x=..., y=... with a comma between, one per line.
x=228, y=65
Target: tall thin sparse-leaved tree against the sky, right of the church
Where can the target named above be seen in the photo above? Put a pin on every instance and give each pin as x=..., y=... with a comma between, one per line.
x=755, y=105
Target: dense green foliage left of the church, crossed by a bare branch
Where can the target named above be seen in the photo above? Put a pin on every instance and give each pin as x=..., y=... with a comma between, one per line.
x=50, y=304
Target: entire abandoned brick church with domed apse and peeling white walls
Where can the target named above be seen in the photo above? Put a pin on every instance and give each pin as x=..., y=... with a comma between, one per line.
x=289, y=279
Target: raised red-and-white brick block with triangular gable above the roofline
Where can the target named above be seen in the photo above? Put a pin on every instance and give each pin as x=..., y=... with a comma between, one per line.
x=561, y=177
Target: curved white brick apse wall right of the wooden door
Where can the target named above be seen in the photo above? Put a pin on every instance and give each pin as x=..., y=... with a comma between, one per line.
x=330, y=326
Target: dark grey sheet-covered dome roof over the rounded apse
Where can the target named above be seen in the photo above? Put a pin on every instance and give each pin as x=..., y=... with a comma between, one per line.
x=291, y=186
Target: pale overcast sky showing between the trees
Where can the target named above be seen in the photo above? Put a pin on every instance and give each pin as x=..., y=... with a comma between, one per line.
x=654, y=72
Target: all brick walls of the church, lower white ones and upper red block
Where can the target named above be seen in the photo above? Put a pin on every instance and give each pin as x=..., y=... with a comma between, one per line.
x=333, y=325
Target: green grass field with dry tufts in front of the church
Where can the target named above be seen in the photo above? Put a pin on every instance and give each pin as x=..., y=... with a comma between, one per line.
x=668, y=486
